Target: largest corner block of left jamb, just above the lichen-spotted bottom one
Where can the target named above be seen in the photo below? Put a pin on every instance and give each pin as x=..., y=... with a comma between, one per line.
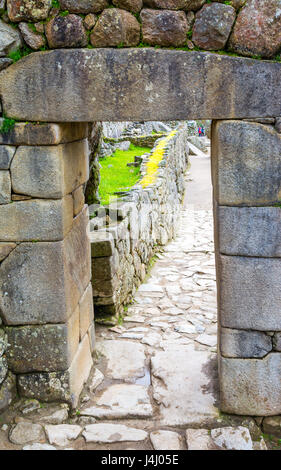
x=43, y=282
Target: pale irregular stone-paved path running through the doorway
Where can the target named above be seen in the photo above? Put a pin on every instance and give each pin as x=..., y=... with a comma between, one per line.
x=155, y=386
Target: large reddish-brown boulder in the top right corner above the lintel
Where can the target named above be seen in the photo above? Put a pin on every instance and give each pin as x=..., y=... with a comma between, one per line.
x=258, y=29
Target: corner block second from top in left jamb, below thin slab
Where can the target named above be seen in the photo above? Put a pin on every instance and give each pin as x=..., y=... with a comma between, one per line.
x=50, y=171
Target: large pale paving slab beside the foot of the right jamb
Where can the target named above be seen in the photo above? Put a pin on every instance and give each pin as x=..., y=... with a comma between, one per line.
x=182, y=385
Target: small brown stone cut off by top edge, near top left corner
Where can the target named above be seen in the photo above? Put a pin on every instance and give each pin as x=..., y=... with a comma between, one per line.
x=26, y=10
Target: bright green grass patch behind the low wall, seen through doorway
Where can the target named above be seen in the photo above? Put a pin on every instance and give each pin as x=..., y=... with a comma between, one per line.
x=116, y=175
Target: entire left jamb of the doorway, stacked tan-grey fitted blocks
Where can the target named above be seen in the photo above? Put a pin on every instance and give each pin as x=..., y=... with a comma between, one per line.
x=46, y=311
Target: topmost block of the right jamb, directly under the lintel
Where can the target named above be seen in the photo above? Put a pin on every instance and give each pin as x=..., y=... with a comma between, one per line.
x=246, y=163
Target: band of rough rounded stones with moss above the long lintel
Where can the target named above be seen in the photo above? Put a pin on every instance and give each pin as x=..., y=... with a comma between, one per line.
x=27, y=26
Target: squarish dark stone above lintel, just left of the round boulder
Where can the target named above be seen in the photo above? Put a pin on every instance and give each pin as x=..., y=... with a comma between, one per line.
x=66, y=31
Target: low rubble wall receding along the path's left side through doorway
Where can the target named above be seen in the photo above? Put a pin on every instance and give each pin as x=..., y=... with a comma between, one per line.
x=145, y=217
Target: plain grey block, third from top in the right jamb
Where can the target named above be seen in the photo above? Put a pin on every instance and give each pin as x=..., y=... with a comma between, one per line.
x=250, y=294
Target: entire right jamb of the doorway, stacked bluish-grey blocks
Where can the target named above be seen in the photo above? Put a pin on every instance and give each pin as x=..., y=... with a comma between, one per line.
x=246, y=176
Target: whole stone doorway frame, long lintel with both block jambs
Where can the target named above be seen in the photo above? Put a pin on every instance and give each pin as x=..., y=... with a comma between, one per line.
x=46, y=299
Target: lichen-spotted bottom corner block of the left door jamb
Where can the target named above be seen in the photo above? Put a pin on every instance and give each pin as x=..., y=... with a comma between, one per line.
x=59, y=386
